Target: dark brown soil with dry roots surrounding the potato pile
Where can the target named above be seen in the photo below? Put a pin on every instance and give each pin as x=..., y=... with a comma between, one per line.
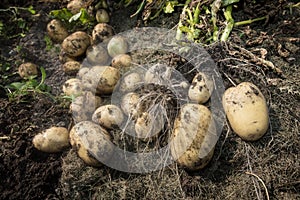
x=238, y=170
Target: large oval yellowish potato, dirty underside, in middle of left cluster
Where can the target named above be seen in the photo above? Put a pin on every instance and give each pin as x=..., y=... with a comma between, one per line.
x=103, y=79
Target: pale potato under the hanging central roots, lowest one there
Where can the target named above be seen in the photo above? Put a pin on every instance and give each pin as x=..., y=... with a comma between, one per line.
x=148, y=126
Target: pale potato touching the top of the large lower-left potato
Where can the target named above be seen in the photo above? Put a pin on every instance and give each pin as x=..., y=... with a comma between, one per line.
x=84, y=106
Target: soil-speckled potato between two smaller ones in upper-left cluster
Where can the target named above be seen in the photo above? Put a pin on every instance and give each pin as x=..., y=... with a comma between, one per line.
x=76, y=43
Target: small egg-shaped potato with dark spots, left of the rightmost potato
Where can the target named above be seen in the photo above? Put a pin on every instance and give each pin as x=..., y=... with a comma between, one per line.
x=200, y=89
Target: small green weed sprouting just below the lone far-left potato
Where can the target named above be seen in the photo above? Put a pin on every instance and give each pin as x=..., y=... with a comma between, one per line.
x=17, y=91
